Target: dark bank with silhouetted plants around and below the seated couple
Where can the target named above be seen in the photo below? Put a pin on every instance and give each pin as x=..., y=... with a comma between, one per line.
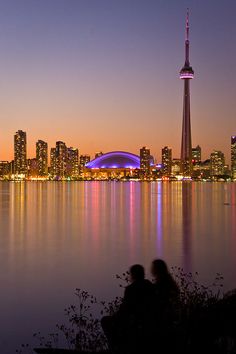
x=206, y=323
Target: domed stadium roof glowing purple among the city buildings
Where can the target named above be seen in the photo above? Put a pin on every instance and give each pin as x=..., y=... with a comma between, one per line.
x=115, y=159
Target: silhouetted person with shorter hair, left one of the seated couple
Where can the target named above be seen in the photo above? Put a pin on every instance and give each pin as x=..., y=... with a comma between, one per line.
x=125, y=327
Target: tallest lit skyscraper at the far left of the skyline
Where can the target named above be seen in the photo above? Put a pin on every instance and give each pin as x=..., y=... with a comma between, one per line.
x=20, y=158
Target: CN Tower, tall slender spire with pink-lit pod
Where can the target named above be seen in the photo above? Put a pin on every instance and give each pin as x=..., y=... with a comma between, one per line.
x=186, y=74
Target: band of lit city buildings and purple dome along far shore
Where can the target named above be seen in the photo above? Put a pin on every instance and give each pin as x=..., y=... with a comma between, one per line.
x=64, y=162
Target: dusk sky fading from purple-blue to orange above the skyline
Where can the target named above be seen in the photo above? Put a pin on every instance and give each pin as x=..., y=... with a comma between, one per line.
x=103, y=74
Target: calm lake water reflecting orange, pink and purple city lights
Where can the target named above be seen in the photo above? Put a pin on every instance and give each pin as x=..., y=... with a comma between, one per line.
x=56, y=236
